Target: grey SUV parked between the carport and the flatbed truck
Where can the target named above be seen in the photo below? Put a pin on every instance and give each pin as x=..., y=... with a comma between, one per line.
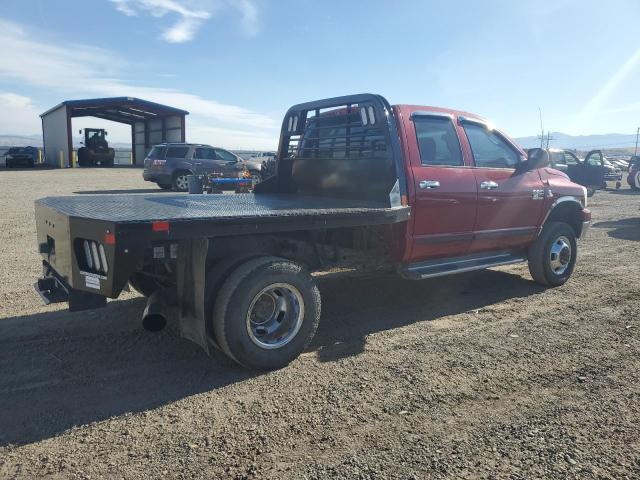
x=169, y=164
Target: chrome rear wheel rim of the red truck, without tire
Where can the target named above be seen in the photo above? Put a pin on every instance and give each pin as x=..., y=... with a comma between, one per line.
x=275, y=315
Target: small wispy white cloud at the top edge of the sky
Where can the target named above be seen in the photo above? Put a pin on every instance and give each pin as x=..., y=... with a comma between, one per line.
x=191, y=14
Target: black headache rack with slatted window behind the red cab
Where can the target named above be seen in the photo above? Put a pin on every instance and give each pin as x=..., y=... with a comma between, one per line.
x=343, y=147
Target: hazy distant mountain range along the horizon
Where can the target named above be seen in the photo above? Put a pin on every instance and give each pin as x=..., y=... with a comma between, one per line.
x=561, y=140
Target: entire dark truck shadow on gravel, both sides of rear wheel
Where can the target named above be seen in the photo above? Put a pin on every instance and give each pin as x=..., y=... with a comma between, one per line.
x=61, y=369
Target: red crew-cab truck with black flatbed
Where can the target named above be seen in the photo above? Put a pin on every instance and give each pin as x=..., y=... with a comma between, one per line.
x=418, y=190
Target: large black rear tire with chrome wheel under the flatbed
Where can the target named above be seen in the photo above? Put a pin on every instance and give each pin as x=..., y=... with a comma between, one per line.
x=283, y=297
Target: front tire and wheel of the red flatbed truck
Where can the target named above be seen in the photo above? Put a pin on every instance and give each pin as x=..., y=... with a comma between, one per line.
x=552, y=257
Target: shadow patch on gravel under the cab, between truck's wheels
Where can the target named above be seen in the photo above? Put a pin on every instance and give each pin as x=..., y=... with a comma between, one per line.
x=354, y=309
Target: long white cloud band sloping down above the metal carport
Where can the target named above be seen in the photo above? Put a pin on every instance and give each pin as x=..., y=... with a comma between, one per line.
x=85, y=71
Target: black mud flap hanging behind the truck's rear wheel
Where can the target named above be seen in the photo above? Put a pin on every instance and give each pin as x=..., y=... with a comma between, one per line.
x=191, y=275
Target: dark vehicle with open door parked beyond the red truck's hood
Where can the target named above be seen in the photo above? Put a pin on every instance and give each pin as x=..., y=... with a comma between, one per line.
x=593, y=172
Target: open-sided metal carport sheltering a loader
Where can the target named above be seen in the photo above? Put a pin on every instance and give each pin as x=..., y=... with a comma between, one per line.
x=151, y=123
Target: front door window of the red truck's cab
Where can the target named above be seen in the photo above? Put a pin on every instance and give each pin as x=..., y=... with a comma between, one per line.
x=489, y=149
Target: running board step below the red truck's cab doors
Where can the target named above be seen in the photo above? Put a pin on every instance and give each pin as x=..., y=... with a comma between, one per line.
x=448, y=266
